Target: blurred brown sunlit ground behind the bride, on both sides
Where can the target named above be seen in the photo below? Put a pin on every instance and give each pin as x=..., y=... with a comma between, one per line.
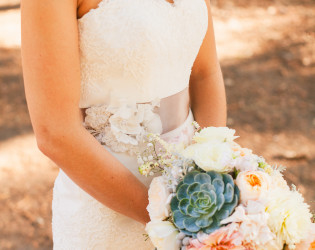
x=267, y=54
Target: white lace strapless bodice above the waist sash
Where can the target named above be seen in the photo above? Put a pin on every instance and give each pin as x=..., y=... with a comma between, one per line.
x=138, y=50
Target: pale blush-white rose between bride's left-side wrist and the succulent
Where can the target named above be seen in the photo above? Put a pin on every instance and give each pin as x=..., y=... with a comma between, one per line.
x=158, y=195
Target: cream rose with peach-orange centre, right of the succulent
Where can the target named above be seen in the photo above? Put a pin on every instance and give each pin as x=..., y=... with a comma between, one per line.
x=253, y=185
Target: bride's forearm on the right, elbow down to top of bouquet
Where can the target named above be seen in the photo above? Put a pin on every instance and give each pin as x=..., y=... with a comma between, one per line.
x=208, y=100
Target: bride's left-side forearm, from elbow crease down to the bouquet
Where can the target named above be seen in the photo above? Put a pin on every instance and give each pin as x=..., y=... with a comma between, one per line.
x=97, y=172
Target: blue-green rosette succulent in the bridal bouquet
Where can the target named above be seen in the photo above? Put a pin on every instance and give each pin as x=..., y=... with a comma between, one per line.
x=202, y=200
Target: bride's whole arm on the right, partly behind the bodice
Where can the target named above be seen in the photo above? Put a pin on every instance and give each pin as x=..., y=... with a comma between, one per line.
x=207, y=92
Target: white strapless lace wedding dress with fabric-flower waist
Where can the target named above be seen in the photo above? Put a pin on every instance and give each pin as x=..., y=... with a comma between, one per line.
x=134, y=54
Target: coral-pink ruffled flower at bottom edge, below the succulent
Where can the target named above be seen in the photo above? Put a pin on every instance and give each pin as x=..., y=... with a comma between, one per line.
x=225, y=238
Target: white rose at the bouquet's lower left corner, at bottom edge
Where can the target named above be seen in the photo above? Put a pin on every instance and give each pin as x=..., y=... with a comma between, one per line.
x=163, y=235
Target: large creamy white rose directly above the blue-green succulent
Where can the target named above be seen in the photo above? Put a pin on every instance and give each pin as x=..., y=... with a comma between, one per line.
x=211, y=156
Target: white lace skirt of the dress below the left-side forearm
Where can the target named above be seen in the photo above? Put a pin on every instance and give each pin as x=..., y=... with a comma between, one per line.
x=80, y=222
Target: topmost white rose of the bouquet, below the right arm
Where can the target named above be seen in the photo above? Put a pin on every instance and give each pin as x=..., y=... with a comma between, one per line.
x=222, y=134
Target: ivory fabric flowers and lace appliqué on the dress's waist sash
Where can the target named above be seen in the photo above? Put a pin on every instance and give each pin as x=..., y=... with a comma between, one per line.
x=123, y=127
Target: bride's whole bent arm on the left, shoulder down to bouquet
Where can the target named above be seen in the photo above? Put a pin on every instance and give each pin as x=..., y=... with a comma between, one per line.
x=51, y=68
